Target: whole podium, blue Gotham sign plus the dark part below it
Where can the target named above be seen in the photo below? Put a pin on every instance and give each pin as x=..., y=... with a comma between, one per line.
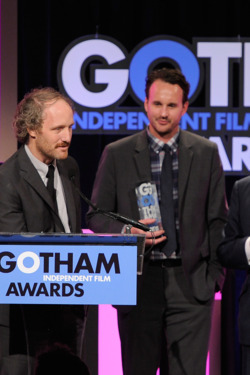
x=47, y=280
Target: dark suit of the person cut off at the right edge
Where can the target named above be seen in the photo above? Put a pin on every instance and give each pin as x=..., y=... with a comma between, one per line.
x=231, y=252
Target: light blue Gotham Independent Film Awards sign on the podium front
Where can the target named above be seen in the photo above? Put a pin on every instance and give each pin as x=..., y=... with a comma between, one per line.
x=68, y=269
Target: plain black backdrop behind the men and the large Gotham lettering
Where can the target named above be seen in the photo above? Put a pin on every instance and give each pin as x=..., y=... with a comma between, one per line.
x=46, y=27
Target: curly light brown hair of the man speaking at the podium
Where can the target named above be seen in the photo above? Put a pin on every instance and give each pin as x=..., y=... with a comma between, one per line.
x=30, y=110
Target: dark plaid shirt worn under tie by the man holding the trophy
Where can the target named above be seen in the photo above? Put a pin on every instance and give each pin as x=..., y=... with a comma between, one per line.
x=156, y=159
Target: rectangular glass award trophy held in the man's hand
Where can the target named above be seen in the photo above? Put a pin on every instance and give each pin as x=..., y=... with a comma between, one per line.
x=148, y=204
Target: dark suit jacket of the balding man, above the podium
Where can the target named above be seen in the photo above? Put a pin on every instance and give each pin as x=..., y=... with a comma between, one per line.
x=25, y=204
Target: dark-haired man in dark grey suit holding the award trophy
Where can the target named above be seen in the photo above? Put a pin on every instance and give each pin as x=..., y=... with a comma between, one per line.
x=171, y=321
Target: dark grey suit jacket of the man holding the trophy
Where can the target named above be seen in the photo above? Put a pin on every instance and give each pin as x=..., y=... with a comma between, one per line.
x=202, y=205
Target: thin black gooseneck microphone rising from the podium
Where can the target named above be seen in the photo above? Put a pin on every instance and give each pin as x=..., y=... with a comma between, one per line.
x=110, y=214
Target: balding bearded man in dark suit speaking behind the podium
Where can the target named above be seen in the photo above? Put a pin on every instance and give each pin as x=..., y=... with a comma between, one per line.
x=31, y=200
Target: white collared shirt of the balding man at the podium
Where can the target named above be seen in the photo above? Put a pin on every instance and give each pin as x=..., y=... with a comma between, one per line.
x=42, y=169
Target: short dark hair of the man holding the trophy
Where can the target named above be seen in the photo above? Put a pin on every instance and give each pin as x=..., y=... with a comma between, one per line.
x=172, y=76
